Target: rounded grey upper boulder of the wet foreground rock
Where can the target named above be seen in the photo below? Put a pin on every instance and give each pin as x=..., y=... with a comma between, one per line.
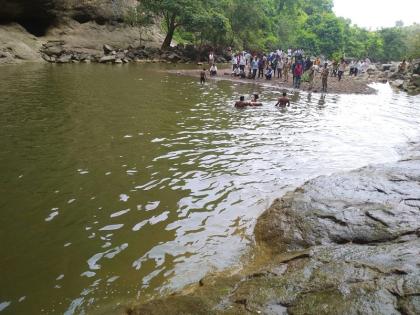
x=374, y=204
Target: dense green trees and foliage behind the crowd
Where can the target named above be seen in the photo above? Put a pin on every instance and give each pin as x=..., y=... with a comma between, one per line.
x=271, y=24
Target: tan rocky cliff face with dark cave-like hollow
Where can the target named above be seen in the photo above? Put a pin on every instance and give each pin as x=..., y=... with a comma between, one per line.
x=81, y=26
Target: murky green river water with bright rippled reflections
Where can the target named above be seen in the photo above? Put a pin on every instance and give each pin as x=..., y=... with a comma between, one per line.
x=119, y=182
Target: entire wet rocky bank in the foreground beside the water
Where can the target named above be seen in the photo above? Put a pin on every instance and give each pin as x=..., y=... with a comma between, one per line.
x=341, y=244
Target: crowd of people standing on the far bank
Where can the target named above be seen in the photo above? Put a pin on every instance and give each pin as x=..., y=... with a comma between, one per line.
x=289, y=63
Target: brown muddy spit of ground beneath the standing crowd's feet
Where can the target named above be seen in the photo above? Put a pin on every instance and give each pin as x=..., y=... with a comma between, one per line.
x=348, y=85
